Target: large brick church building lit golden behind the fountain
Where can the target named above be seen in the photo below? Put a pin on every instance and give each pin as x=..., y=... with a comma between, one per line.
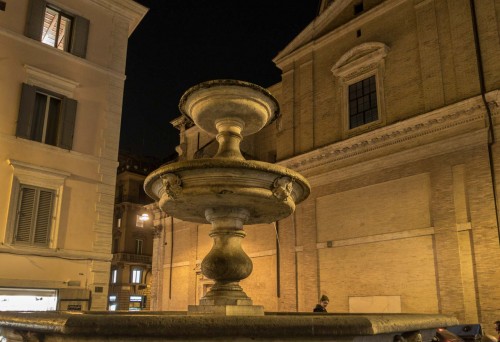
x=390, y=109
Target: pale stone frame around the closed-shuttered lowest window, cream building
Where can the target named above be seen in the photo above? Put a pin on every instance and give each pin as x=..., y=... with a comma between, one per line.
x=42, y=177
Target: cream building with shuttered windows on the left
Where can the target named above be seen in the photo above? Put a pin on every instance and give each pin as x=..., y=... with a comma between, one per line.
x=62, y=67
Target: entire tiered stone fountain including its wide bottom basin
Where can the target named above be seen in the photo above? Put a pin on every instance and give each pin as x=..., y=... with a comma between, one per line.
x=229, y=192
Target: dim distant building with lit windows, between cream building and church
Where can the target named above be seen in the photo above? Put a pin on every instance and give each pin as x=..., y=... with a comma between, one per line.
x=130, y=279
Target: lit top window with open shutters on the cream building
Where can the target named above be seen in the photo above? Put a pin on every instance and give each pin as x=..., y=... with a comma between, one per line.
x=53, y=26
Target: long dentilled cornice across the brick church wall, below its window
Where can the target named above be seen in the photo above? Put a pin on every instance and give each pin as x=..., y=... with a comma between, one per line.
x=456, y=118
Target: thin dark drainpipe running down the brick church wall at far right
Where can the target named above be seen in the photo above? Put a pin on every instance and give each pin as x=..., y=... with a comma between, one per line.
x=491, y=133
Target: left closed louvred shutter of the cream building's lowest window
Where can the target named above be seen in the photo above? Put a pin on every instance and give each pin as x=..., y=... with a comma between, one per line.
x=26, y=209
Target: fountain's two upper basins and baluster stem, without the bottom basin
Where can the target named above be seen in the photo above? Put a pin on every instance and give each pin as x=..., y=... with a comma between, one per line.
x=227, y=190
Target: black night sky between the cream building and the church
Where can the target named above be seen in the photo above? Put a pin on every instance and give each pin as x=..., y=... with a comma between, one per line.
x=181, y=43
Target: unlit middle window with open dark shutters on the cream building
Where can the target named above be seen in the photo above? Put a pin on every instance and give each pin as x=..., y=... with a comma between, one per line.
x=46, y=117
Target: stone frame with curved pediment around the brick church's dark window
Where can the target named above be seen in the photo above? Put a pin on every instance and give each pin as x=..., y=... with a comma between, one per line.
x=357, y=64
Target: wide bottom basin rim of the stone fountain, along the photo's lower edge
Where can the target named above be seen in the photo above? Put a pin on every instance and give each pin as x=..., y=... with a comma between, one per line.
x=162, y=326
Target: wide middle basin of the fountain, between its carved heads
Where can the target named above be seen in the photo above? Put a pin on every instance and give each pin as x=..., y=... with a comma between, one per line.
x=235, y=183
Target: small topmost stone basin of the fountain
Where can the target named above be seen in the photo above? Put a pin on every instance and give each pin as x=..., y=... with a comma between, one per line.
x=210, y=101
